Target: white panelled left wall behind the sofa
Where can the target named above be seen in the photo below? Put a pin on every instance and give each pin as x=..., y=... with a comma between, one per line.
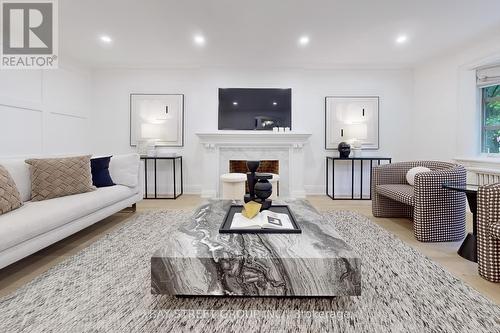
x=44, y=112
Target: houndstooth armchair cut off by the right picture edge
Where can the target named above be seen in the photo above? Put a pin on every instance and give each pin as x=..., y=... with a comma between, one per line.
x=488, y=232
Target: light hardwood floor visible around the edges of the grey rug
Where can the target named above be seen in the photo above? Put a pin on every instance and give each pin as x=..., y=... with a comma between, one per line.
x=17, y=274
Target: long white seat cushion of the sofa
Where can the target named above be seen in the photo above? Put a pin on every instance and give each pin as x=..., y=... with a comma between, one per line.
x=36, y=218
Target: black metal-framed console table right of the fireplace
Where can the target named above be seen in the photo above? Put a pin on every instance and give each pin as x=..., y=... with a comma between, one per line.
x=352, y=159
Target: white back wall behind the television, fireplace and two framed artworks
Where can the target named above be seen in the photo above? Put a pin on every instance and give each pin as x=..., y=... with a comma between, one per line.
x=110, y=110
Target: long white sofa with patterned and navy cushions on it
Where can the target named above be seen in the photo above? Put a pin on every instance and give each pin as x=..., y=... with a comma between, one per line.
x=36, y=225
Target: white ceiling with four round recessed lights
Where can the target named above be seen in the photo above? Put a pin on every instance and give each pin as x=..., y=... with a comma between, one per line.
x=159, y=33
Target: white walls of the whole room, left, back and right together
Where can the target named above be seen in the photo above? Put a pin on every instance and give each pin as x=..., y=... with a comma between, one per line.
x=428, y=113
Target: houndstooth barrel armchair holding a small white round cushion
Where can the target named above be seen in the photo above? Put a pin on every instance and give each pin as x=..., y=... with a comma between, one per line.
x=438, y=214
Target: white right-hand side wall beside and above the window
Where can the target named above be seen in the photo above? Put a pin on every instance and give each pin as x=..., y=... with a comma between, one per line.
x=446, y=121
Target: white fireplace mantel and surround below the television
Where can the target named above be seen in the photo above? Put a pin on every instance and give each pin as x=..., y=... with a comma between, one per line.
x=222, y=146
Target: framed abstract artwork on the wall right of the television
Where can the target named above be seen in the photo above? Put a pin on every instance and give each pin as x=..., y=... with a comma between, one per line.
x=354, y=120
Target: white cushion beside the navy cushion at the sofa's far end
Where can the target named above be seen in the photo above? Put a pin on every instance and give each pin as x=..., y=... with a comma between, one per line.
x=124, y=169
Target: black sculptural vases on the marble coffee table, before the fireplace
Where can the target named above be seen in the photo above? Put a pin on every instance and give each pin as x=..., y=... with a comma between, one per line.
x=259, y=187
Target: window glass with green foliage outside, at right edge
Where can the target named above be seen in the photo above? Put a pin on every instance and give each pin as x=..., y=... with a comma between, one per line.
x=490, y=134
